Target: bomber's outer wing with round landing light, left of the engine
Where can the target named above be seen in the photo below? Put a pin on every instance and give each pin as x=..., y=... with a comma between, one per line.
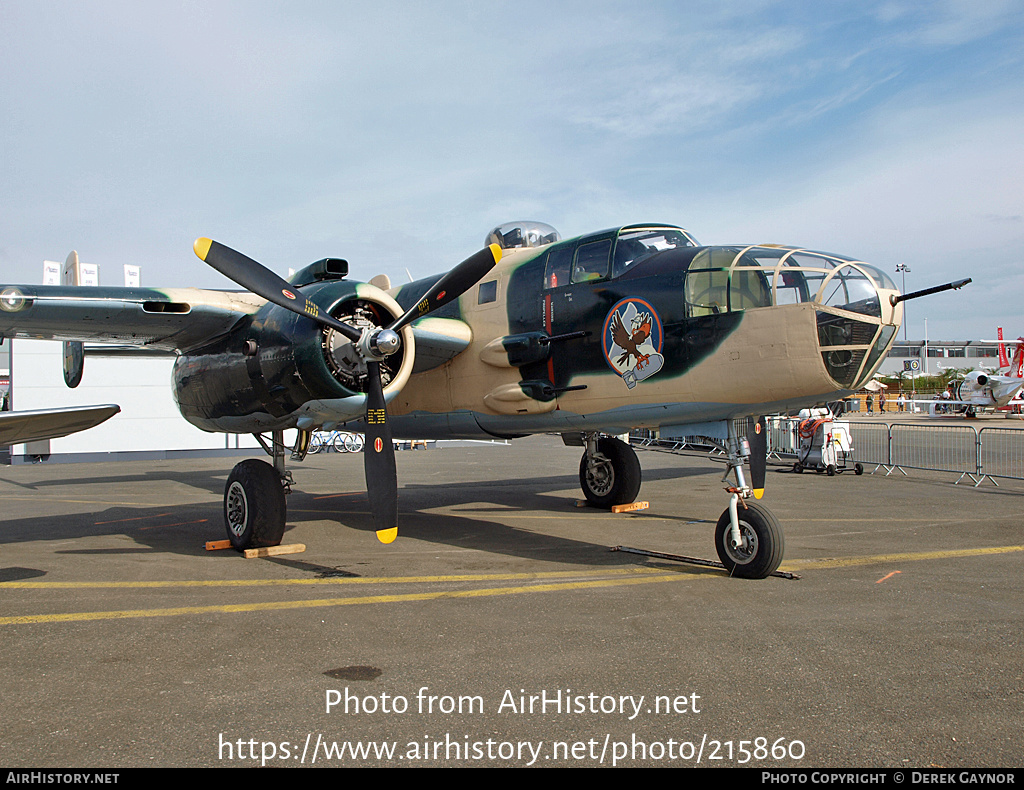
x=176, y=319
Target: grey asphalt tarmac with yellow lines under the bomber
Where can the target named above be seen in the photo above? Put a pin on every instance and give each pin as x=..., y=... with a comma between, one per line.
x=500, y=630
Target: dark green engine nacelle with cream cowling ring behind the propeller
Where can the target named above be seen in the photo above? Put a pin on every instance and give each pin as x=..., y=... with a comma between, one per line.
x=279, y=370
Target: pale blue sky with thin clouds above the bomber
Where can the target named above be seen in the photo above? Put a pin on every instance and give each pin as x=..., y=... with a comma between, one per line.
x=398, y=136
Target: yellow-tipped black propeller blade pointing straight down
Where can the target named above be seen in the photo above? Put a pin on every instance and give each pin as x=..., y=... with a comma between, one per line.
x=378, y=460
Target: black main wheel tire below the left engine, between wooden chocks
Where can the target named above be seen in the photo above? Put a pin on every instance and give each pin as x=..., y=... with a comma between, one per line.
x=254, y=506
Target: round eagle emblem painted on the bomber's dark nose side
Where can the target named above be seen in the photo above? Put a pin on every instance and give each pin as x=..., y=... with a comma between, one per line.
x=633, y=341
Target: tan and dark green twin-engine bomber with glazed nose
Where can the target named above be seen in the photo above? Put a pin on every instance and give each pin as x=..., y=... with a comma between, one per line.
x=637, y=327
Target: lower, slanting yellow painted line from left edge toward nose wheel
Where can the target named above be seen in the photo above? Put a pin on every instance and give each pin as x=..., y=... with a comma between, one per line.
x=289, y=605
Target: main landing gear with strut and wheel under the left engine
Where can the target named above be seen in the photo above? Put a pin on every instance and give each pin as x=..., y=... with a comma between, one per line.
x=254, y=497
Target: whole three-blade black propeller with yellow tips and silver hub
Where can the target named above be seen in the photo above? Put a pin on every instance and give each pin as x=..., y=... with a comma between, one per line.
x=374, y=346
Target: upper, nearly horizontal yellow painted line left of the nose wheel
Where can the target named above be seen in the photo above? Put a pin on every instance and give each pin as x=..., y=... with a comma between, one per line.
x=337, y=580
